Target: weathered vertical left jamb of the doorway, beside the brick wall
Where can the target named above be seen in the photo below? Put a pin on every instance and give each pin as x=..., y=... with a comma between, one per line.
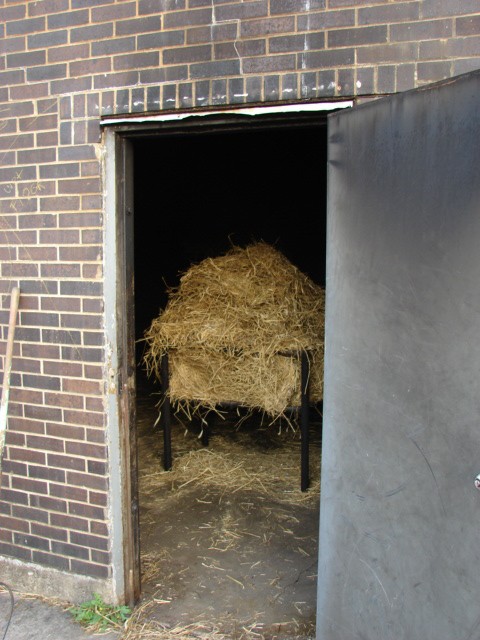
x=120, y=367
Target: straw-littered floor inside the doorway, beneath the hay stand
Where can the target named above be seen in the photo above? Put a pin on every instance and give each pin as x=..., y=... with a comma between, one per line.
x=228, y=540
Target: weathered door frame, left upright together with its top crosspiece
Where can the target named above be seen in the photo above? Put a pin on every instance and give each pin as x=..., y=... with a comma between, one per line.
x=119, y=302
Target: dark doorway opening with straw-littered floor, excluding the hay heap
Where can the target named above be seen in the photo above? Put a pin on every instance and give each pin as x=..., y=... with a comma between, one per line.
x=227, y=556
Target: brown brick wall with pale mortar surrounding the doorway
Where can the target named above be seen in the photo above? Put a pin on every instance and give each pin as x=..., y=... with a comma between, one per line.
x=65, y=63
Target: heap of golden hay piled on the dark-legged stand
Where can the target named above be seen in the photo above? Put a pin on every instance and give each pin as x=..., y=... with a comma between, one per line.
x=234, y=328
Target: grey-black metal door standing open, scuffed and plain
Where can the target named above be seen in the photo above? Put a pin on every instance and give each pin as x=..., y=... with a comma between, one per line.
x=399, y=554
